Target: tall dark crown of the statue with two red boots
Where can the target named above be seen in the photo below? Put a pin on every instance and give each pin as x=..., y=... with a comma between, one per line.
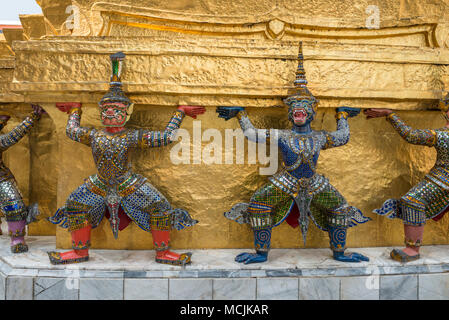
x=115, y=93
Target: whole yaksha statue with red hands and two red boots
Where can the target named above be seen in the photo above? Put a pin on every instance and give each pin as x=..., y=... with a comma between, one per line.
x=116, y=191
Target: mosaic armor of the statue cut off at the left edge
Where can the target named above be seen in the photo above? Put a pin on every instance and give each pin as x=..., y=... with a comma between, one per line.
x=11, y=201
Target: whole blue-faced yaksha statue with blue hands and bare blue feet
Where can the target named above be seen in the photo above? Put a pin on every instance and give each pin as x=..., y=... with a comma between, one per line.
x=296, y=192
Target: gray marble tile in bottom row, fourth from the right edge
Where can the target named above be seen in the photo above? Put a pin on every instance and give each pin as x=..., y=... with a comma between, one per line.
x=319, y=288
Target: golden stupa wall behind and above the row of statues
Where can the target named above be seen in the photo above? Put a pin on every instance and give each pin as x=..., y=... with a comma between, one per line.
x=212, y=53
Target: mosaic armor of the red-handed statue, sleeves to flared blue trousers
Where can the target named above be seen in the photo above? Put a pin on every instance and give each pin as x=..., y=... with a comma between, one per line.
x=115, y=186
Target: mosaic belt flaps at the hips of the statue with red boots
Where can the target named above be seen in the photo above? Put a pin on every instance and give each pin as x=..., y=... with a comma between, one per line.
x=99, y=185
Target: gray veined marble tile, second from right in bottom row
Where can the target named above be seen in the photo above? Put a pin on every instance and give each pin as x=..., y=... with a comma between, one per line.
x=400, y=287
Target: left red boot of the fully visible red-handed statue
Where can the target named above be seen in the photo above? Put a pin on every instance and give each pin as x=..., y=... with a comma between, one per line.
x=80, y=244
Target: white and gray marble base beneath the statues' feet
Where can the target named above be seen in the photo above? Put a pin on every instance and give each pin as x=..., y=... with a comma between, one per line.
x=290, y=274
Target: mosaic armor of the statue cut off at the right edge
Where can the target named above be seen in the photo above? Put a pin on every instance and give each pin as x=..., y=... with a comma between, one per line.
x=430, y=197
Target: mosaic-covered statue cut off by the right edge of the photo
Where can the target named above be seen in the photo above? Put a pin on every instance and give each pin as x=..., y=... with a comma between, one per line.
x=429, y=199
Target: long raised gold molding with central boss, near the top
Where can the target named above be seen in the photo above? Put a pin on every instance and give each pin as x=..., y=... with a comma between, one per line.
x=274, y=29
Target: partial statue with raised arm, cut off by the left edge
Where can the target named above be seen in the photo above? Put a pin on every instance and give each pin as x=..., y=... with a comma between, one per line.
x=12, y=206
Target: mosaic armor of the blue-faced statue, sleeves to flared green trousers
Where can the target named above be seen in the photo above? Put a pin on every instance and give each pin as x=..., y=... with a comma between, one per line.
x=297, y=182
